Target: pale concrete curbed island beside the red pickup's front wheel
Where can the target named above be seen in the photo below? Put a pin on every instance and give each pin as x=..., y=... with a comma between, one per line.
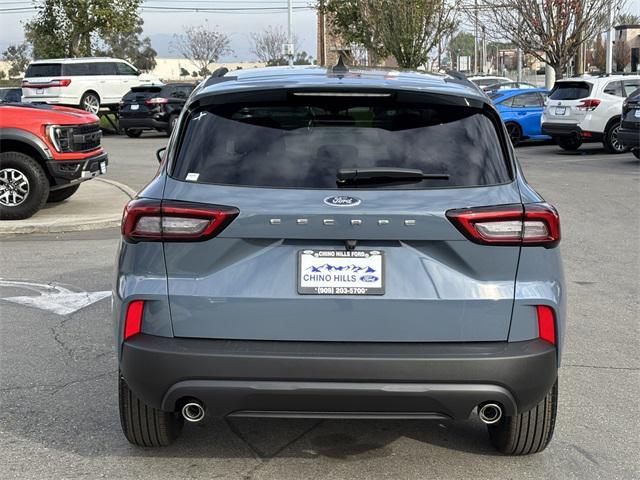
x=52, y=220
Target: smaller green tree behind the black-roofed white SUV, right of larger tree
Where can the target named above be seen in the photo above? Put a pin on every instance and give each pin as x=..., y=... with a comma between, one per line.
x=130, y=46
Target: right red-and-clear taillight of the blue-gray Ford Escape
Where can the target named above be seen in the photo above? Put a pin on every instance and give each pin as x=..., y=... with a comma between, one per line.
x=530, y=224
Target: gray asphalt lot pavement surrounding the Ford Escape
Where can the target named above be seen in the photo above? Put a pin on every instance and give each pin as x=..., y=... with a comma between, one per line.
x=58, y=371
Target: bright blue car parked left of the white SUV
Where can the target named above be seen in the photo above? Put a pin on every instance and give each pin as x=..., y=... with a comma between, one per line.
x=521, y=109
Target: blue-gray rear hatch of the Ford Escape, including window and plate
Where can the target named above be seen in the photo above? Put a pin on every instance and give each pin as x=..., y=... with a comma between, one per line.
x=266, y=275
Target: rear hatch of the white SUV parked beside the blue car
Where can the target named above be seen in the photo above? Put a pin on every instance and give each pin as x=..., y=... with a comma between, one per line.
x=566, y=103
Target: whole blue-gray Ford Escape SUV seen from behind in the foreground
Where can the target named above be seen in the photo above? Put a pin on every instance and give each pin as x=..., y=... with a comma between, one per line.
x=339, y=244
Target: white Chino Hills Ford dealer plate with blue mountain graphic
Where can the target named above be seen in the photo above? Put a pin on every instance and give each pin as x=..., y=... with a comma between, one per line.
x=341, y=272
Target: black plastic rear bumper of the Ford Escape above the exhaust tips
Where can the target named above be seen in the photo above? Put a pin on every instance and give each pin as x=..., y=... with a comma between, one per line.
x=314, y=379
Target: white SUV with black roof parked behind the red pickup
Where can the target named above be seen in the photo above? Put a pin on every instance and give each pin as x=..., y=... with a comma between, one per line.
x=88, y=83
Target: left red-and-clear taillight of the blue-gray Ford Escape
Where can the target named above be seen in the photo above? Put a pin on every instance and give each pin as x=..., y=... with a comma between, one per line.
x=169, y=221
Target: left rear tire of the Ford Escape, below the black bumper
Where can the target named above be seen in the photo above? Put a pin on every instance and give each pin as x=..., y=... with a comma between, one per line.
x=143, y=425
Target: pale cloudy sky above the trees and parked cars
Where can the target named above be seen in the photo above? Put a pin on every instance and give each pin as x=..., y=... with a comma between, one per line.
x=164, y=18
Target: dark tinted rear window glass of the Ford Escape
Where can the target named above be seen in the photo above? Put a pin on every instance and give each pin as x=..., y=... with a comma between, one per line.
x=304, y=143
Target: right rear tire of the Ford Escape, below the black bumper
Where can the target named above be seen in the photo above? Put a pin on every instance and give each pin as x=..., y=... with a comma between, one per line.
x=528, y=432
